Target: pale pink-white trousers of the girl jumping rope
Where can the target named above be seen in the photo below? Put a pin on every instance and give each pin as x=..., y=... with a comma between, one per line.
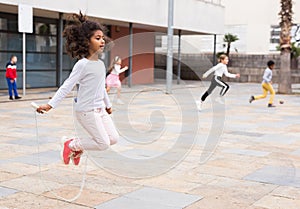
x=99, y=125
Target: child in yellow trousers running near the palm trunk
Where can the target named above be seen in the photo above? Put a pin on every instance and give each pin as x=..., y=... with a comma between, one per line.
x=266, y=85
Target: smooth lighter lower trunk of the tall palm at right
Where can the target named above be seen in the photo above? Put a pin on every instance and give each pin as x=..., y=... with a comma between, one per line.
x=284, y=82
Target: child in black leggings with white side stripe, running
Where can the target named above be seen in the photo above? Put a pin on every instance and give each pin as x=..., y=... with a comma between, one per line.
x=218, y=70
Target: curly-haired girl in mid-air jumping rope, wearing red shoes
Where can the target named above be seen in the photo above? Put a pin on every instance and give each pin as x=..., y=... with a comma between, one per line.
x=85, y=40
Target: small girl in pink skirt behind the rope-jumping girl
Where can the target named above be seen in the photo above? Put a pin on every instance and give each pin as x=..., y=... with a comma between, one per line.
x=113, y=79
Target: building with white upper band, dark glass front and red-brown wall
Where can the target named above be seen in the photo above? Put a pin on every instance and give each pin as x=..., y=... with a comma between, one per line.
x=128, y=21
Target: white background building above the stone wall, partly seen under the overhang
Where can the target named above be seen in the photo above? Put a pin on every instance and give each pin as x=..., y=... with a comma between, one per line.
x=251, y=21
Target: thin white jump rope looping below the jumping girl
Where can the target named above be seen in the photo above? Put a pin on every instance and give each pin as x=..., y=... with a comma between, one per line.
x=35, y=106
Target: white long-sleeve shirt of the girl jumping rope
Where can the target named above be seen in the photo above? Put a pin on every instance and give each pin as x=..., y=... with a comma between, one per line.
x=90, y=75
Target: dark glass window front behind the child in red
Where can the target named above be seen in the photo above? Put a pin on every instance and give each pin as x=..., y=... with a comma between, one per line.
x=41, y=51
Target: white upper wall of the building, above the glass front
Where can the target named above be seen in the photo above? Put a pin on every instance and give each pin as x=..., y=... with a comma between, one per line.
x=189, y=15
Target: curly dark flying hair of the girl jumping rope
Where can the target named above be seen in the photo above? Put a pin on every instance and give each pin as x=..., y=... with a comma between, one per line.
x=78, y=32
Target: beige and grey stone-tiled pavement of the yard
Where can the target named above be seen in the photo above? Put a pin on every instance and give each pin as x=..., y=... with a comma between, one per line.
x=170, y=156
